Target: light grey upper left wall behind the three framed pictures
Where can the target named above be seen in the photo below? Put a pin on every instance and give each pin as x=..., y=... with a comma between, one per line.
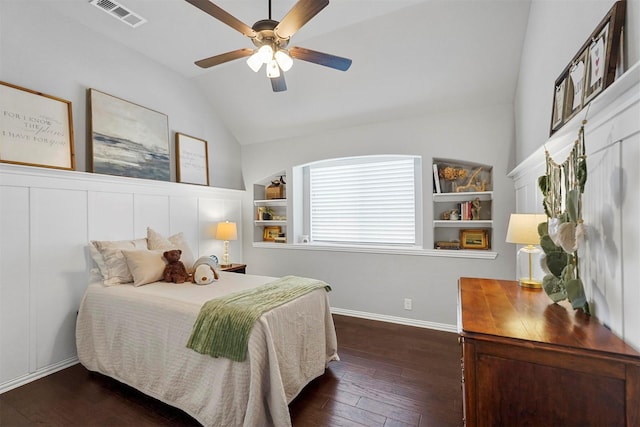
x=57, y=56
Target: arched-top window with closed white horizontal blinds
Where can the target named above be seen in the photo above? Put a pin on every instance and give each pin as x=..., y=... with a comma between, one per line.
x=372, y=200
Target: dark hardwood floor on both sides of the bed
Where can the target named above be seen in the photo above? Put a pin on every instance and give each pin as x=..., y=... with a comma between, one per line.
x=388, y=375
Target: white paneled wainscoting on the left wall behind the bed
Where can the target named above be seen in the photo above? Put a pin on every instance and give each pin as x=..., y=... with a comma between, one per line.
x=47, y=218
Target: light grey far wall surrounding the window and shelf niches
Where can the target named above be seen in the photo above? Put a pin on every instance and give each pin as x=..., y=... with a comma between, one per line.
x=378, y=283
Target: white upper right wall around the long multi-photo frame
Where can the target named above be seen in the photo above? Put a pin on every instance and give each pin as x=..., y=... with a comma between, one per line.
x=555, y=31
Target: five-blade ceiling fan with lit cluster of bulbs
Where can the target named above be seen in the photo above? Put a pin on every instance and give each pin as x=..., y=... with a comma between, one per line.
x=271, y=39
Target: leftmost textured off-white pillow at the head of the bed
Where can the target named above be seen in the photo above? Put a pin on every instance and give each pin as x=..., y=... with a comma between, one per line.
x=110, y=260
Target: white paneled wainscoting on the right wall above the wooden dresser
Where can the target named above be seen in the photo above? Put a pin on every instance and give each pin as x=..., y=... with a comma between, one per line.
x=610, y=260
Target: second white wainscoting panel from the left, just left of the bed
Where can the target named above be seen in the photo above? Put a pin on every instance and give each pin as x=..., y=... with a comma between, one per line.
x=58, y=220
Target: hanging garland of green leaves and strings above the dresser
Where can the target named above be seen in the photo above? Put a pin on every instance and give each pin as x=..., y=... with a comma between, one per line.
x=560, y=237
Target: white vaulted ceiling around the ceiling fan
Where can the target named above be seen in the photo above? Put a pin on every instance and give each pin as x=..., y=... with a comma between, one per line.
x=410, y=58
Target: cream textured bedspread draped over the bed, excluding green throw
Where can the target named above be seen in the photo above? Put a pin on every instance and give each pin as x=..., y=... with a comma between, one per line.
x=138, y=336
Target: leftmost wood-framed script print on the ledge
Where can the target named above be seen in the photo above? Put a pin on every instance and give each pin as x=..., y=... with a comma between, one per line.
x=35, y=129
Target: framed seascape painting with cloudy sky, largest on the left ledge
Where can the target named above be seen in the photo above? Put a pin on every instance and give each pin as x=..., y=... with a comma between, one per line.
x=128, y=139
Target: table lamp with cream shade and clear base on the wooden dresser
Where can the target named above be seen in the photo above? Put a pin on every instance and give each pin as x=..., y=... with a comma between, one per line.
x=523, y=230
